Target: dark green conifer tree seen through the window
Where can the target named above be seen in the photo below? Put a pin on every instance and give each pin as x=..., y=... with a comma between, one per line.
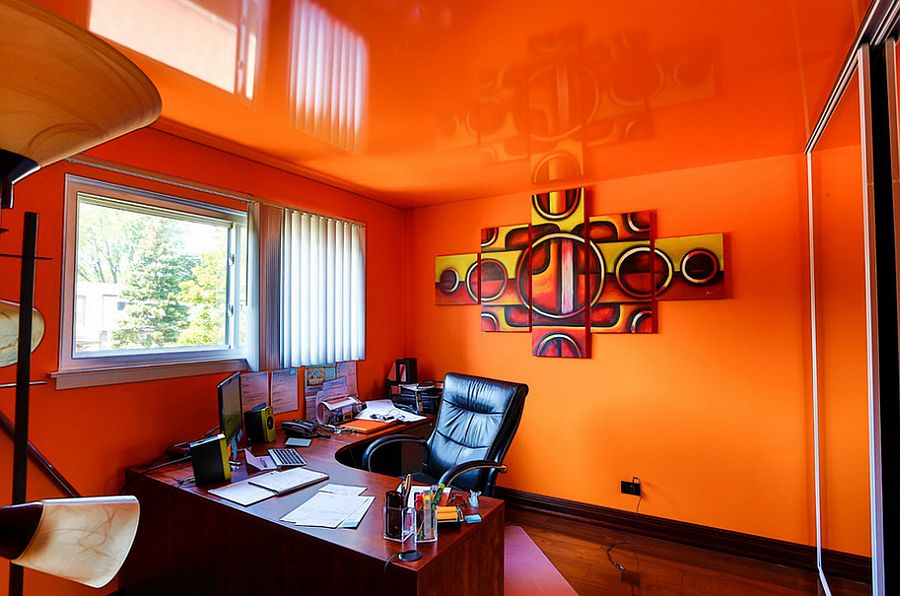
x=155, y=315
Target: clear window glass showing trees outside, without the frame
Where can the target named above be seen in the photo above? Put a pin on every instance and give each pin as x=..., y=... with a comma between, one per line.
x=169, y=273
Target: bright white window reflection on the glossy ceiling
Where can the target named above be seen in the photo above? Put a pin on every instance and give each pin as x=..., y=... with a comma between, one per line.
x=214, y=41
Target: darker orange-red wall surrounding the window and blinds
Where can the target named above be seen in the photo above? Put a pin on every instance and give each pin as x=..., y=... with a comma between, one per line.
x=92, y=434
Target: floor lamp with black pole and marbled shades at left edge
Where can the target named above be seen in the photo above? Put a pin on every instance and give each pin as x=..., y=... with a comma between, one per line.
x=62, y=91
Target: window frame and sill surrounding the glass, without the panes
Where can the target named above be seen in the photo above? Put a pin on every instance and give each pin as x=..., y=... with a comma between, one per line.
x=101, y=369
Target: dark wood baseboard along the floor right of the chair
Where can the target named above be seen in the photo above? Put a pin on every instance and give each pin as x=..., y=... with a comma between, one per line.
x=801, y=556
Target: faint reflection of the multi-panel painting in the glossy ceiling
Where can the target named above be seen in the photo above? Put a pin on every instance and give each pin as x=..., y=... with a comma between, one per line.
x=569, y=97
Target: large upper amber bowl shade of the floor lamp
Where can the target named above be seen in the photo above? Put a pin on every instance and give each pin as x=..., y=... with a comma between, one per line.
x=62, y=90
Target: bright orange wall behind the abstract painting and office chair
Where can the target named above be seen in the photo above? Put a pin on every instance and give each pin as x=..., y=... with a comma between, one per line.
x=712, y=413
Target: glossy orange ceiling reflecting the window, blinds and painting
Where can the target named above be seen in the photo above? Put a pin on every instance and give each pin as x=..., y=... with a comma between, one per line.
x=416, y=102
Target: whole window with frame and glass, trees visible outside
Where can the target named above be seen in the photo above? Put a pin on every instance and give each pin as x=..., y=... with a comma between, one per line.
x=150, y=279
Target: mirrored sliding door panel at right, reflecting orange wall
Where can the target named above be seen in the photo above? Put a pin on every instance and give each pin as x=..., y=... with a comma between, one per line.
x=838, y=204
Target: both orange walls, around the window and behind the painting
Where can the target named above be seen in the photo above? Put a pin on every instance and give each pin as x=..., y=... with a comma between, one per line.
x=712, y=412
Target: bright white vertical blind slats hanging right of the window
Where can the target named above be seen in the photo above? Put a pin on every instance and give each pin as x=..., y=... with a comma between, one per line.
x=323, y=290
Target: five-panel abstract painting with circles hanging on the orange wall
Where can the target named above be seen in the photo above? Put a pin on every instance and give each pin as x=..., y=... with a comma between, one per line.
x=564, y=275
